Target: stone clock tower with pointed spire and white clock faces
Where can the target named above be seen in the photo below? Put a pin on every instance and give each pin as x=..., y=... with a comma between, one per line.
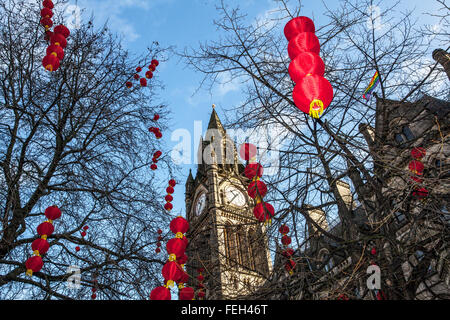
x=225, y=239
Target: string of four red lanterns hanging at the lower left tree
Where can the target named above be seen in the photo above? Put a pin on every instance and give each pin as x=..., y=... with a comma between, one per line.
x=40, y=246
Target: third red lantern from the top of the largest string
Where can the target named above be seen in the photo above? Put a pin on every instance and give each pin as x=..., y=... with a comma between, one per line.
x=306, y=63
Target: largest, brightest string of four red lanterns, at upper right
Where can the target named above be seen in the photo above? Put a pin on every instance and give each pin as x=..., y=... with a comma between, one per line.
x=312, y=93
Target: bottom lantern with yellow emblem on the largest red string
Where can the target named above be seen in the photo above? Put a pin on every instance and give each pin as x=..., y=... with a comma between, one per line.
x=312, y=95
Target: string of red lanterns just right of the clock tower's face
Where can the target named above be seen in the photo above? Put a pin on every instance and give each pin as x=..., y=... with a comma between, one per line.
x=257, y=189
